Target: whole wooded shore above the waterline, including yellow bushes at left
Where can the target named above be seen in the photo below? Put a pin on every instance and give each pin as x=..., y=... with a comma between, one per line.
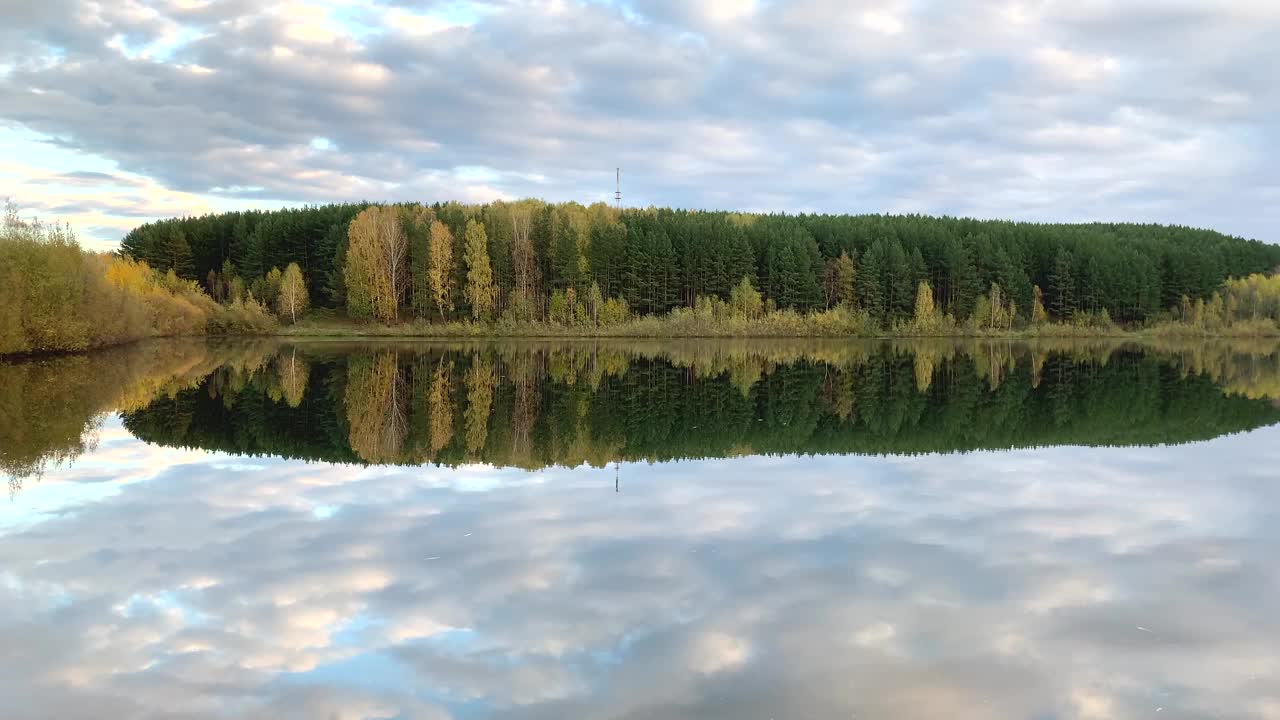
x=533, y=268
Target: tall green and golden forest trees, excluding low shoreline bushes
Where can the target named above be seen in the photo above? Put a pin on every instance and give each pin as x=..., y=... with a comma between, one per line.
x=532, y=261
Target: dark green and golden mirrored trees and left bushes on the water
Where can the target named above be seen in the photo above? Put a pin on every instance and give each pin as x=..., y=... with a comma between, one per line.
x=540, y=404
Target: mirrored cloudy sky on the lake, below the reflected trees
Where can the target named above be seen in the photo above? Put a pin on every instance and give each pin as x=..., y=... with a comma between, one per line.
x=1037, y=584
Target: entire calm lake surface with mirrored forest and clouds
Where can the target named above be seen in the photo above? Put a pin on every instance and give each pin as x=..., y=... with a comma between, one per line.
x=740, y=530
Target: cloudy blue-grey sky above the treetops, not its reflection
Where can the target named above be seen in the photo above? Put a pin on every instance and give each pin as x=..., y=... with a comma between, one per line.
x=117, y=112
